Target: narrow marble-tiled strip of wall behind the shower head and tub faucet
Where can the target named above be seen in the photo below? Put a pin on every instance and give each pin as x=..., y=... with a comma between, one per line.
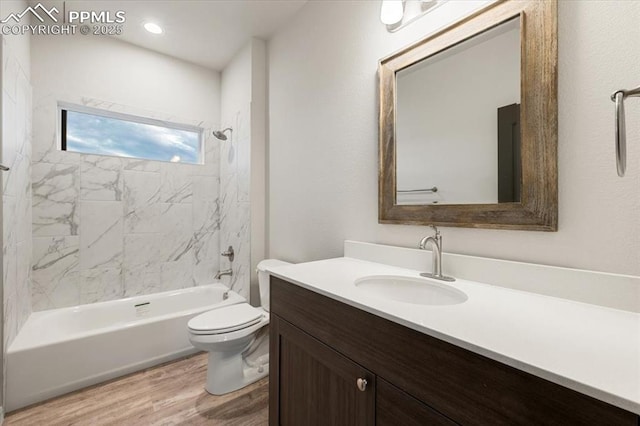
x=235, y=207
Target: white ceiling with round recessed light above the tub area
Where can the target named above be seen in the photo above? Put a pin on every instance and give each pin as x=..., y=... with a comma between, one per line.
x=204, y=32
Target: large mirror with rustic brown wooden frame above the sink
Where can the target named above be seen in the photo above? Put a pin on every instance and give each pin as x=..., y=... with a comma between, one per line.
x=468, y=123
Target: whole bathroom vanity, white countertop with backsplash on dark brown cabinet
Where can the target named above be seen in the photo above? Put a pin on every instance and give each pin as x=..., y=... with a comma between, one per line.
x=343, y=354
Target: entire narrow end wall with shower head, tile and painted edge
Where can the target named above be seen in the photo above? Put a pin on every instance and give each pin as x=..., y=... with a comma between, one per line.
x=242, y=166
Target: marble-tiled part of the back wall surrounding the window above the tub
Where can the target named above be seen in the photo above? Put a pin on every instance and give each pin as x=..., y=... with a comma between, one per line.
x=105, y=228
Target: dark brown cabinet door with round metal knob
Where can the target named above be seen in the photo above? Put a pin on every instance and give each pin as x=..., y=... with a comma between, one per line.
x=311, y=384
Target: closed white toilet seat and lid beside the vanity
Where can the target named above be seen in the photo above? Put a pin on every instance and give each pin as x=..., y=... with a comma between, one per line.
x=226, y=320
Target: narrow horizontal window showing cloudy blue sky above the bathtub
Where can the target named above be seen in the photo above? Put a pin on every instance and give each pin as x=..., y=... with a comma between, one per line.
x=93, y=131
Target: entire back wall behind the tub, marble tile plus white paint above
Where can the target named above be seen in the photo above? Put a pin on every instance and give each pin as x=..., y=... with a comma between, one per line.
x=107, y=227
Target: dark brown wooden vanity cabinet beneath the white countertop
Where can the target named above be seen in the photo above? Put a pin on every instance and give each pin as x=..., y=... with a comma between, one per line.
x=323, y=350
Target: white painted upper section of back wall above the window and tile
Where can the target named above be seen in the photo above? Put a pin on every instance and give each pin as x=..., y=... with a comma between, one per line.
x=108, y=69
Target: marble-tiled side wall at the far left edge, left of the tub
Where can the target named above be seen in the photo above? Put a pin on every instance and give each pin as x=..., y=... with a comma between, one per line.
x=16, y=193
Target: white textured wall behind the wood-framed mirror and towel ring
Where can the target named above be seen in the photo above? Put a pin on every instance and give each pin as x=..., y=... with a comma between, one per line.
x=323, y=139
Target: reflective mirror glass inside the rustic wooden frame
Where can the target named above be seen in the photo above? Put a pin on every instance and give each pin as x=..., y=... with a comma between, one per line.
x=457, y=123
